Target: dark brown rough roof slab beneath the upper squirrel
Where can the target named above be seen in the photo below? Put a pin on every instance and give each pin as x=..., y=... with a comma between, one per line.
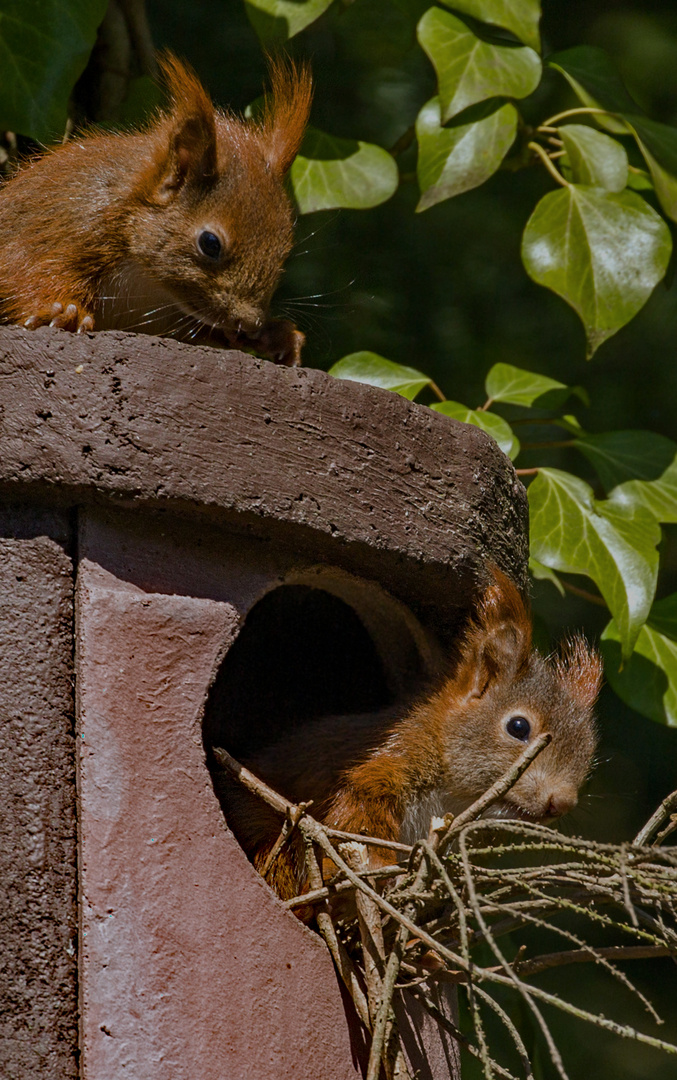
x=150, y=421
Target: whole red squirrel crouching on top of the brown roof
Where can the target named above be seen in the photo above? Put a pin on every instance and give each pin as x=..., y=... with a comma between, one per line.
x=180, y=229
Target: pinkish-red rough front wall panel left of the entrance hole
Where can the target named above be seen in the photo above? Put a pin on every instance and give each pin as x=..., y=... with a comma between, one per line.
x=189, y=967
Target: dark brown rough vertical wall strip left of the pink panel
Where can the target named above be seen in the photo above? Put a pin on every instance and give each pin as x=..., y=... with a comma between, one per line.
x=38, y=924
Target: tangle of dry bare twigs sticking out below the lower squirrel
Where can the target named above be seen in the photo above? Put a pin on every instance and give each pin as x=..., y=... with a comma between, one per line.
x=473, y=881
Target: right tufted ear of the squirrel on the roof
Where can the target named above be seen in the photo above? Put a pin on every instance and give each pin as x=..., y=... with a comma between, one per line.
x=286, y=113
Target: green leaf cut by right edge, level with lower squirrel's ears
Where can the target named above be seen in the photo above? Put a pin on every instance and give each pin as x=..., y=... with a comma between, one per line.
x=648, y=681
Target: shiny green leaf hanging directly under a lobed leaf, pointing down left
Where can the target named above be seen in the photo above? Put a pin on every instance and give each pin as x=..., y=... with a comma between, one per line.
x=453, y=160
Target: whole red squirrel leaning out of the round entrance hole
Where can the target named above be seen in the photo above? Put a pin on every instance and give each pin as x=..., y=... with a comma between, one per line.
x=386, y=775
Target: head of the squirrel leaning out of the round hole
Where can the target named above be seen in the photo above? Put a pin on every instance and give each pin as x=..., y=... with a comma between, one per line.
x=503, y=696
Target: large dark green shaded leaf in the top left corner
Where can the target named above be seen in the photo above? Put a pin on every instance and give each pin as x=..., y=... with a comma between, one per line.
x=45, y=46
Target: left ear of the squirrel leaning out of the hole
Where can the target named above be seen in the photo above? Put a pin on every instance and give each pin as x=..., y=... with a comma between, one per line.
x=498, y=641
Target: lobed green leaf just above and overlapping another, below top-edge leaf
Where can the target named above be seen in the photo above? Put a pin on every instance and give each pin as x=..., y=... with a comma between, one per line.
x=470, y=71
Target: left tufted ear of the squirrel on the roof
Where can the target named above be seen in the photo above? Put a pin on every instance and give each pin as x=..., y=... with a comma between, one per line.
x=192, y=154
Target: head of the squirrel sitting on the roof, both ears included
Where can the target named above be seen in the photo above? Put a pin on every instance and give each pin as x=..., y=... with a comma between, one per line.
x=211, y=220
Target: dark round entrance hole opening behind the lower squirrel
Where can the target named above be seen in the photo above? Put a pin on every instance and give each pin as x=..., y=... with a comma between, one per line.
x=307, y=653
